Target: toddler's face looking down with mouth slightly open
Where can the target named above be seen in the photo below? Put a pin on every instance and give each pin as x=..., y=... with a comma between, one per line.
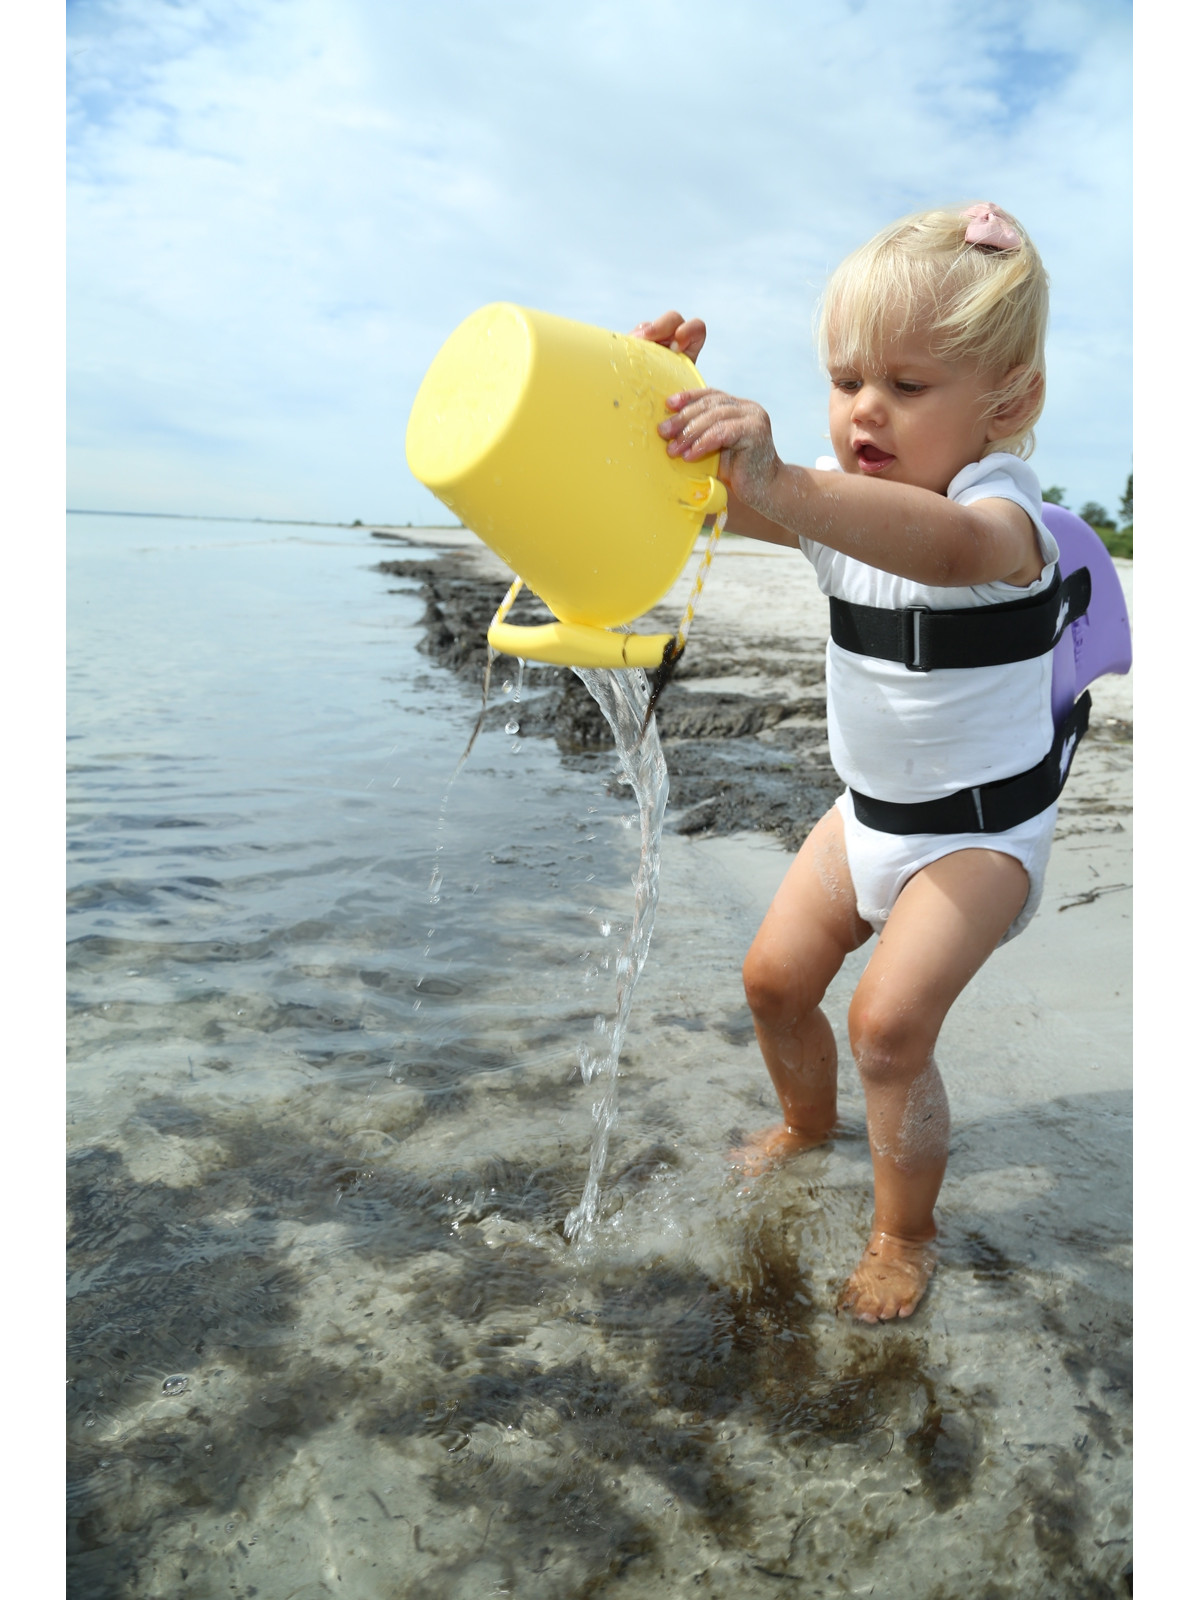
x=921, y=420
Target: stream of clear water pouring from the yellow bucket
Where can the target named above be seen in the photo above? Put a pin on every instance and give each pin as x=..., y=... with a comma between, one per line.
x=623, y=697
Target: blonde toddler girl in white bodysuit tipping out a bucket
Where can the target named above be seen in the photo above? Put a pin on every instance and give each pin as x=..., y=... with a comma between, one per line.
x=934, y=334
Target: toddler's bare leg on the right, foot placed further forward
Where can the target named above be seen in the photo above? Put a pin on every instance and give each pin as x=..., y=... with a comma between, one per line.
x=946, y=922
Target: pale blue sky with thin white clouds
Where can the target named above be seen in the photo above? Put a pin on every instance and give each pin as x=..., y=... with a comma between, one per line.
x=279, y=210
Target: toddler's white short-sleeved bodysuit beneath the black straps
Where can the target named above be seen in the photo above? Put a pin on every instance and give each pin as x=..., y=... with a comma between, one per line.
x=906, y=737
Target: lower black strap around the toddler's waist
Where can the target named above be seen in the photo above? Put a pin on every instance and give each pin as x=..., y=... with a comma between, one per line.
x=988, y=809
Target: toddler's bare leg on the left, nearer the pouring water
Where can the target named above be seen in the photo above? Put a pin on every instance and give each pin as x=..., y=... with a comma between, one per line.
x=807, y=934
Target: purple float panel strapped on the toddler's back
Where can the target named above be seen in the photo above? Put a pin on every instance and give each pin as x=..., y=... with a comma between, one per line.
x=1100, y=641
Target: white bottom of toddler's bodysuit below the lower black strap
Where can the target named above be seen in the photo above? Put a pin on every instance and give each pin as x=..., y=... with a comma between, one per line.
x=881, y=865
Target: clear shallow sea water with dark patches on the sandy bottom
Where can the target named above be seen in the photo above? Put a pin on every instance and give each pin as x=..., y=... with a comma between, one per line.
x=327, y=1335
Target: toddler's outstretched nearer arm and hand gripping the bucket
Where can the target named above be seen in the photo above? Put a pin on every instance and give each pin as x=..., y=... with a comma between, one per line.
x=895, y=527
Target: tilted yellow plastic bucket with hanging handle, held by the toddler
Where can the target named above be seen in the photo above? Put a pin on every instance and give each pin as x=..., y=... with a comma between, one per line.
x=542, y=436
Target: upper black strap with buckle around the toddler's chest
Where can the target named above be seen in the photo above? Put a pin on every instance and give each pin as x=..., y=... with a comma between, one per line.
x=969, y=638
